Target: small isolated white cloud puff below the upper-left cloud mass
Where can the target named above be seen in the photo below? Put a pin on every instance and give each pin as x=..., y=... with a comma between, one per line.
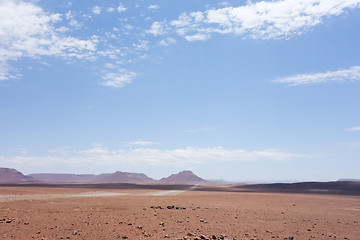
x=118, y=79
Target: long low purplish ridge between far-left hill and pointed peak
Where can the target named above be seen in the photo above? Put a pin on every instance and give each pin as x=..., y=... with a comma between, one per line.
x=117, y=177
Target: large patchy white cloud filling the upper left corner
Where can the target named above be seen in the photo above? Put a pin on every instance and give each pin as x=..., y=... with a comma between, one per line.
x=28, y=31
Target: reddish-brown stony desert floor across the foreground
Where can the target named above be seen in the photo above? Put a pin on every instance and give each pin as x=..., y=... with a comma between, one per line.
x=68, y=213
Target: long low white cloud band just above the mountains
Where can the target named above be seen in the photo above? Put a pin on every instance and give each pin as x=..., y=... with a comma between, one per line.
x=184, y=157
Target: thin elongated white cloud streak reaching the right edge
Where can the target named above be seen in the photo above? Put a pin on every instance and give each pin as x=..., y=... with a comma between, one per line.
x=349, y=75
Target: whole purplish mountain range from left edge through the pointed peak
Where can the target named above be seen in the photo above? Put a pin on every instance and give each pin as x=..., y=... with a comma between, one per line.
x=8, y=175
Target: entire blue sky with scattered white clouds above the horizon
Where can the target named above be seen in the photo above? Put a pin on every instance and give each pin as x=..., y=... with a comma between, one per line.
x=249, y=91
